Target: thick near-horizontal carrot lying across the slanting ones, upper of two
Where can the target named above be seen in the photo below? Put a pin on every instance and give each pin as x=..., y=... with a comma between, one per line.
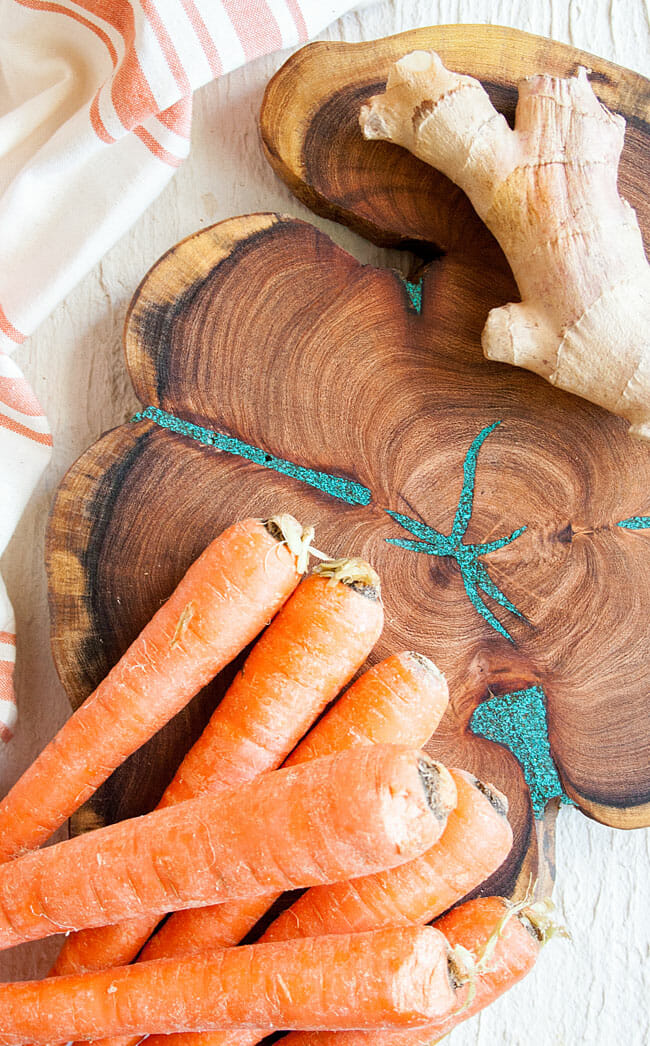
x=333, y=818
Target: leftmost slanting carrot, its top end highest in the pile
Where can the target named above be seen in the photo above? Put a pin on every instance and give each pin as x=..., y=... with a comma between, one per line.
x=226, y=599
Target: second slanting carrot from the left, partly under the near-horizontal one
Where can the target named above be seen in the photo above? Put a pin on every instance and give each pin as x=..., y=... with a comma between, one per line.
x=313, y=647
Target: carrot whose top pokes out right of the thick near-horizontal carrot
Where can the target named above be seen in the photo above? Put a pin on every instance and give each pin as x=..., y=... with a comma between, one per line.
x=477, y=840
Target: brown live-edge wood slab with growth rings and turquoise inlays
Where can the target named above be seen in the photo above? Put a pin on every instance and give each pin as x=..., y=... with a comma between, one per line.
x=508, y=520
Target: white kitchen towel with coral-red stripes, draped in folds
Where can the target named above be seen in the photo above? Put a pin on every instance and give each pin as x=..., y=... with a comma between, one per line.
x=96, y=112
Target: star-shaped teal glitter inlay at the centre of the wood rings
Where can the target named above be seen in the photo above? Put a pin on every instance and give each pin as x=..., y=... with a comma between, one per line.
x=474, y=573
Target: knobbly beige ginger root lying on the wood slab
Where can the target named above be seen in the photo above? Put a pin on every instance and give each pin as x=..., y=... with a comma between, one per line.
x=548, y=193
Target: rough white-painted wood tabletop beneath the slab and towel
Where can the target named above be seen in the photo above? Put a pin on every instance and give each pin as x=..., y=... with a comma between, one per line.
x=594, y=991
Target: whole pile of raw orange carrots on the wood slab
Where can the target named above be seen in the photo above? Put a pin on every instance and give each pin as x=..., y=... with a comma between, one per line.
x=386, y=838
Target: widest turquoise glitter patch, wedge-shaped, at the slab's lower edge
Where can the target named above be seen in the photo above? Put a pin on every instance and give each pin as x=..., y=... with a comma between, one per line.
x=519, y=721
